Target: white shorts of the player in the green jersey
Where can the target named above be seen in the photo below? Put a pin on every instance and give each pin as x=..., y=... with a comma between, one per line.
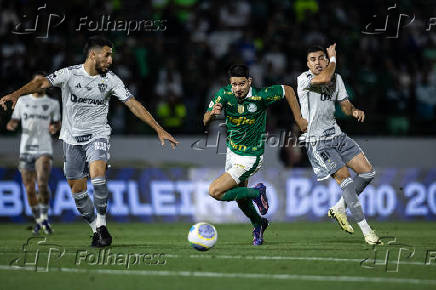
x=242, y=167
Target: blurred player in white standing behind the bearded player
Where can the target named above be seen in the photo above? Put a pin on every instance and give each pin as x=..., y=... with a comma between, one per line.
x=40, y=117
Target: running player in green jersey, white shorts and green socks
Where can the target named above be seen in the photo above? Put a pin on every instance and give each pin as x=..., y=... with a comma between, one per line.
x=245, y=112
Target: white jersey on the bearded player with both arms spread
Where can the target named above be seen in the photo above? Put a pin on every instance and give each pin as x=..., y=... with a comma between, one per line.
x=85, y=102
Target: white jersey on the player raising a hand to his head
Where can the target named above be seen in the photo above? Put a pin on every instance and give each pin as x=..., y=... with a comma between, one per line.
x=318, y=105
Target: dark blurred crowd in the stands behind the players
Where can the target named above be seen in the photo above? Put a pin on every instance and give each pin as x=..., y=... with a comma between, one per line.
x=175, y=69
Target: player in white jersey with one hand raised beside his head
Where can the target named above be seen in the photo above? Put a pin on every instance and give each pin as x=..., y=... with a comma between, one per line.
x=330, y=151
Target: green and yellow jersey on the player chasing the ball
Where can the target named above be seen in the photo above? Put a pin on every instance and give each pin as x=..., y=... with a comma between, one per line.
x=246, y=119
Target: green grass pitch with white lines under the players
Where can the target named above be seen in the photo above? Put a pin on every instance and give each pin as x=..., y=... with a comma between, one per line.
x=294, y=256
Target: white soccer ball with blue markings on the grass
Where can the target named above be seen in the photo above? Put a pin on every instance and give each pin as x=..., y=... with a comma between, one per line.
x=202, y=236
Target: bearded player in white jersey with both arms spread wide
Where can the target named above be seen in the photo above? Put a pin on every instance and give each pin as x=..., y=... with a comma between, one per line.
x=86, y=91
